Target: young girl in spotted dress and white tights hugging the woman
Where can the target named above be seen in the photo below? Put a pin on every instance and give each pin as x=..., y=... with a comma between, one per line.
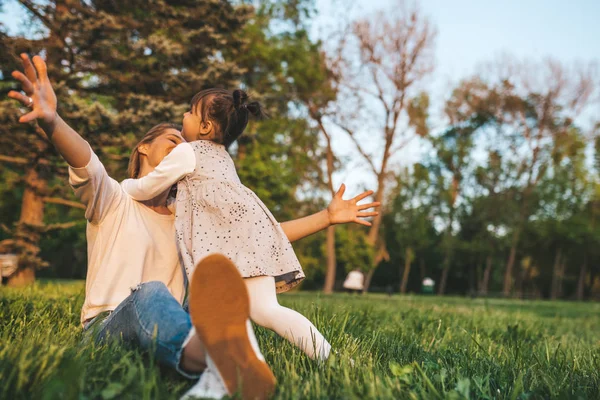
x=215, y=213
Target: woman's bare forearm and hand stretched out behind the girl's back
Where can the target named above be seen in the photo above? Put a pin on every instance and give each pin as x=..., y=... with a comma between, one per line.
x=339, y=211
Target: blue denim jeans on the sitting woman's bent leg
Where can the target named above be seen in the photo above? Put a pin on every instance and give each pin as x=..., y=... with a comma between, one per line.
x=149, y=318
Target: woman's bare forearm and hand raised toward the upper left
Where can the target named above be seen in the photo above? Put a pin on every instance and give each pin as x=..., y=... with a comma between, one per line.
x=36, y=85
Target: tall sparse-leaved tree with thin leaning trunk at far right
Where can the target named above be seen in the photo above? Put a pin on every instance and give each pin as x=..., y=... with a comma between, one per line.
x=532, y=105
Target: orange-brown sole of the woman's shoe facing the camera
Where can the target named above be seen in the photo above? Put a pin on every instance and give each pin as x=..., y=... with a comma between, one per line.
x=219, y=309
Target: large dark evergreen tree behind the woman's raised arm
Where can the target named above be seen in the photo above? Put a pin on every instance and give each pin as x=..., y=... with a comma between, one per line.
x=116, y=67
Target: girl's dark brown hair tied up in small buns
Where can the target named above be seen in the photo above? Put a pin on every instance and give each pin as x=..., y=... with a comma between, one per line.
x=228, y=111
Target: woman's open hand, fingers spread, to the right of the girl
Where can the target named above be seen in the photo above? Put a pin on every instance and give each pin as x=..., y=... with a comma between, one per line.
x=342, y=211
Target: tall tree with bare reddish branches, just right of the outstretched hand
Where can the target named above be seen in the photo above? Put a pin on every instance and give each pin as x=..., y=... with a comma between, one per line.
x=385, y=60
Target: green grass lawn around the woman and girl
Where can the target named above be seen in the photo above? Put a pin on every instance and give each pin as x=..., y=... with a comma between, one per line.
x=403, y=347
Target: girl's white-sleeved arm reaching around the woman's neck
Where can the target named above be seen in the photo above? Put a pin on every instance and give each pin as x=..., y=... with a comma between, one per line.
x=177, y=164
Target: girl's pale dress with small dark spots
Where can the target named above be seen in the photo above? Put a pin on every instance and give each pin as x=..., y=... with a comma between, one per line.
x=215, y=213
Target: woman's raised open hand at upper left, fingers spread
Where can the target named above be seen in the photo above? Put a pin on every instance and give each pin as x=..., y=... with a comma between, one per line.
x=39, y=95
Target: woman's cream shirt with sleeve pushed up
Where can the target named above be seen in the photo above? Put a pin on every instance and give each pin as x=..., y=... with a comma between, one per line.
x=128, y=243
